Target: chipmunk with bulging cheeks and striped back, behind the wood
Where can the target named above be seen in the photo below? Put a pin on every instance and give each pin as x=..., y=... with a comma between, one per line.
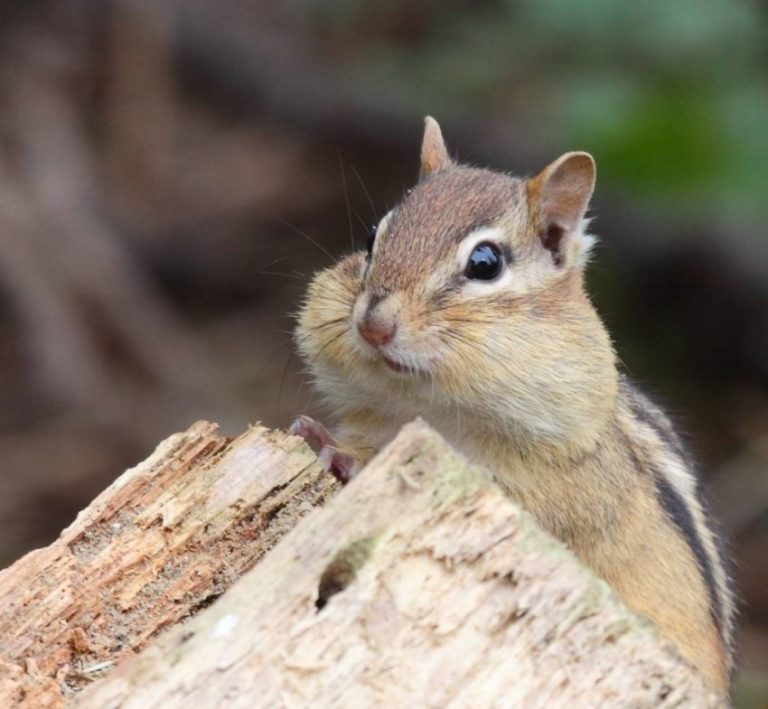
x=469, y=309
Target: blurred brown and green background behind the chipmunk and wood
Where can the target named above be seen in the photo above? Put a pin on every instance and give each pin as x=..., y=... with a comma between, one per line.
x=172, y=173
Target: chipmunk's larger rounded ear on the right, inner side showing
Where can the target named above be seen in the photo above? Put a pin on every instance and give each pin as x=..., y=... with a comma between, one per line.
x=560, y=195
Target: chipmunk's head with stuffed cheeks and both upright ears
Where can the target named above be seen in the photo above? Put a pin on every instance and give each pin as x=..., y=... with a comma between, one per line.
x=469, y=294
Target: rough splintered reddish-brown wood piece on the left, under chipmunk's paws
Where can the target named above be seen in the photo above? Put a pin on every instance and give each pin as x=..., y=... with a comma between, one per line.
x=164, y=540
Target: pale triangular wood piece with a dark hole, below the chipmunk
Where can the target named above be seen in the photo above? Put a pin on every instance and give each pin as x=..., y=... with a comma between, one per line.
x=419, y=584
